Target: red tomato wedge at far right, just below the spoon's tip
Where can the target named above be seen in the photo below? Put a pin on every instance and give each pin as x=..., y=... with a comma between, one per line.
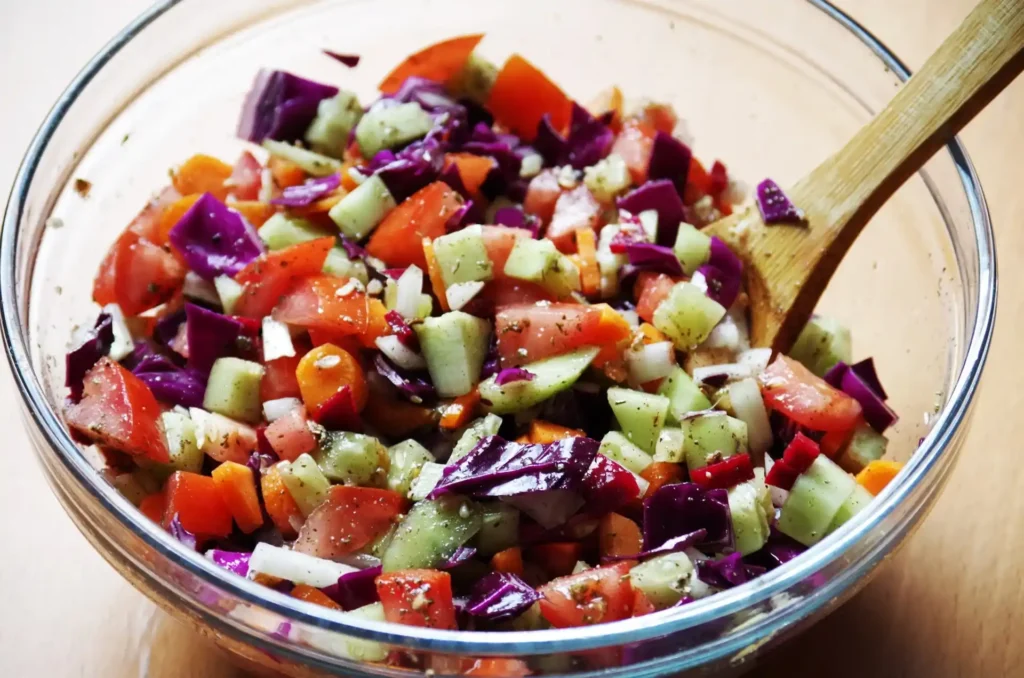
x=794, y=391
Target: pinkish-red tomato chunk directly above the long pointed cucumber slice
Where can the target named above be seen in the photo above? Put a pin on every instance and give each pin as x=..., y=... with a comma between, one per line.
x=532, y=332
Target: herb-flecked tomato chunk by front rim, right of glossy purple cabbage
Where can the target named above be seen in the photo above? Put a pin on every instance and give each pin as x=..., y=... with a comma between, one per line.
x=594, y=597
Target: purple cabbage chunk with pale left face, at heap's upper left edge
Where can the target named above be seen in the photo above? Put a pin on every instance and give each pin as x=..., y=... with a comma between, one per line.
x=281, y=106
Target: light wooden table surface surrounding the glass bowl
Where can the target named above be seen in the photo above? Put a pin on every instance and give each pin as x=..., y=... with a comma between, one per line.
x=952, y=604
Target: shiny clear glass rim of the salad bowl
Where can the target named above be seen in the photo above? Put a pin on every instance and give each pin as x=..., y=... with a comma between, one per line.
x=549, y=642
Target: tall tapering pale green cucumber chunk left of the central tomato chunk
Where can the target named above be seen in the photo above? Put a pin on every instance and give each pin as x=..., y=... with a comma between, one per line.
x=454, y=346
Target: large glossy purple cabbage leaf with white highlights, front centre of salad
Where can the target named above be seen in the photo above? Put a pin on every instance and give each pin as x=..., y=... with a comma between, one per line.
x=497, y=468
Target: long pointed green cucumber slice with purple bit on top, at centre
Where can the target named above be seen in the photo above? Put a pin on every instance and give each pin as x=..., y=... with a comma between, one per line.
x=551, y=376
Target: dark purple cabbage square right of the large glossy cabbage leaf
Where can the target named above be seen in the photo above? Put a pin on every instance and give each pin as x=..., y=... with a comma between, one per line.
x=685, y=508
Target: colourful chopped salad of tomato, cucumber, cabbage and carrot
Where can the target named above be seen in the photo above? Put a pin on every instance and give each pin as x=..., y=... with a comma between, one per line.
x=462, y=358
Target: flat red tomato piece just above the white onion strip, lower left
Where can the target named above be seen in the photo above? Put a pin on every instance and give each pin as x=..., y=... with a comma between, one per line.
x=350, y=520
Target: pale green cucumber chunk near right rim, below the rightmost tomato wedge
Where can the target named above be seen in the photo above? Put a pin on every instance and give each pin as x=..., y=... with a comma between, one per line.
x=815, y=501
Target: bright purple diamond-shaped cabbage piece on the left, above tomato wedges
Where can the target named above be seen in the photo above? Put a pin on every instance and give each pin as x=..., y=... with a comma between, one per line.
x=215, y=240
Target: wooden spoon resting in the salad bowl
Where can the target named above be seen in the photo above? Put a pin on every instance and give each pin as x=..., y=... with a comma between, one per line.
x=788, y=267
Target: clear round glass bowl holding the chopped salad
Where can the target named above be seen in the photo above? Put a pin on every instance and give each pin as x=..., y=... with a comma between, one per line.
x=772, y=89
